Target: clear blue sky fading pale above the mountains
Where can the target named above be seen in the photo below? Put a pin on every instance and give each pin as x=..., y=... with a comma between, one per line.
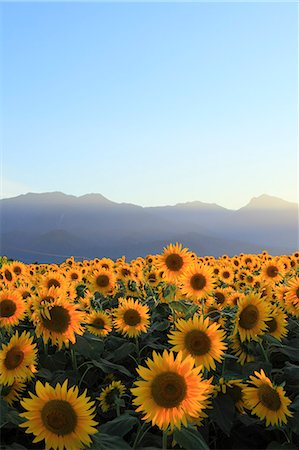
x=151, y=103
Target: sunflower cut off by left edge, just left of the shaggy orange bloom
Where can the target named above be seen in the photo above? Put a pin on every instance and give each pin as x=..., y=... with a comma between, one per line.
x=12, y=308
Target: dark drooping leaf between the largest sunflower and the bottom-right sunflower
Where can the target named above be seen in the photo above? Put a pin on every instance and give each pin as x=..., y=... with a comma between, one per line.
x=223, y=412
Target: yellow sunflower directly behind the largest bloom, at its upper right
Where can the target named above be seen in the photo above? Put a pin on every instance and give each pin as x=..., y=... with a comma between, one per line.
x=200, y=338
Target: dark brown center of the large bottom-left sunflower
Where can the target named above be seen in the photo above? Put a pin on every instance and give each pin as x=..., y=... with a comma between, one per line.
x=59, y=417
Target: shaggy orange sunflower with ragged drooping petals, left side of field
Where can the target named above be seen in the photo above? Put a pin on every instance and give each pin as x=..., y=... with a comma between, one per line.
x=59, y=321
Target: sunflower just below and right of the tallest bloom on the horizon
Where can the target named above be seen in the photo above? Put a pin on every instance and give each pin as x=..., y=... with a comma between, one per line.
x=197, y=282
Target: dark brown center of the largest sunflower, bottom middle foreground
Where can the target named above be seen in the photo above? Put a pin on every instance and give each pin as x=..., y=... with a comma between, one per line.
x=168, y=389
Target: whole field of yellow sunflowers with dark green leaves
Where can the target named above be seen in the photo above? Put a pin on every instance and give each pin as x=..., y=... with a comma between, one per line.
x=169, y=351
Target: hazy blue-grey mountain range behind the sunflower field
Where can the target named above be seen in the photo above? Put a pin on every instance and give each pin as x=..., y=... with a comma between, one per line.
x=49, y=227
